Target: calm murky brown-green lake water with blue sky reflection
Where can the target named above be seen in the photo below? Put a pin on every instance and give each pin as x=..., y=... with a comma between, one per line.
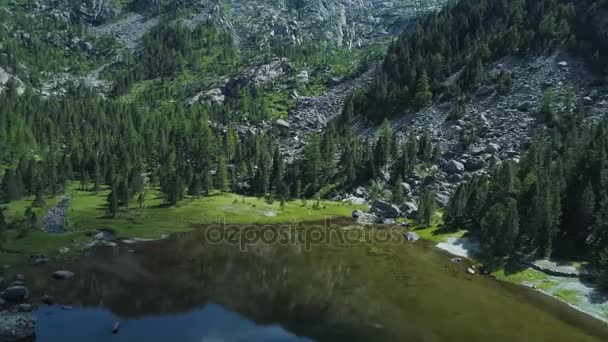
x=187, y=288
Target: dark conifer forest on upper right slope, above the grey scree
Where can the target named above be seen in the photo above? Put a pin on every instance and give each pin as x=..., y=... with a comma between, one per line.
x=445, y=55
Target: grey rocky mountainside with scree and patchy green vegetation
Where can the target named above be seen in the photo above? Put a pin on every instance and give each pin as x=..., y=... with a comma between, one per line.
x=90, y=41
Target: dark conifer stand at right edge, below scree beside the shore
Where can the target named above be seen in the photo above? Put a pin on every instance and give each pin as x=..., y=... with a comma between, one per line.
x=553, y=202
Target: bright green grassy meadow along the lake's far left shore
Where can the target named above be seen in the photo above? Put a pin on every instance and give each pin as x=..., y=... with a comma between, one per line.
x=87, y=214
